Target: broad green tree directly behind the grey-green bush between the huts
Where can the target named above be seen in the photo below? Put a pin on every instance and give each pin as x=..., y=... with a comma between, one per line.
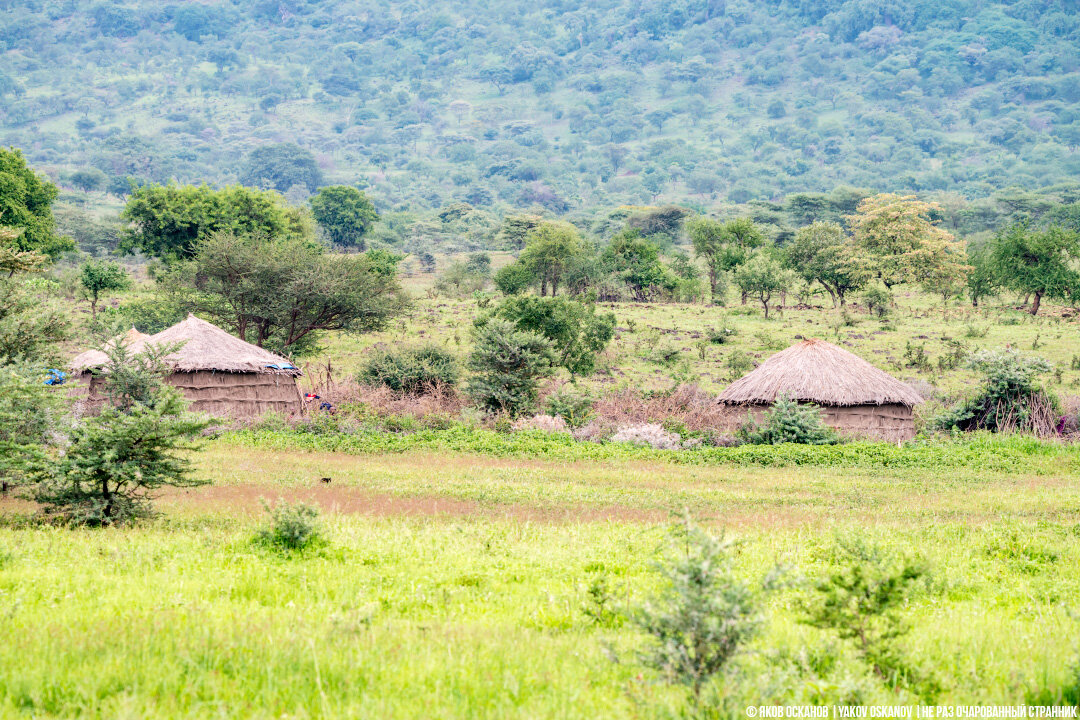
x=577, y=332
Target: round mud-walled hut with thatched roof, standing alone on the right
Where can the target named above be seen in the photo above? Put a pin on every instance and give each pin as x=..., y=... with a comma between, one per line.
x=856, y=398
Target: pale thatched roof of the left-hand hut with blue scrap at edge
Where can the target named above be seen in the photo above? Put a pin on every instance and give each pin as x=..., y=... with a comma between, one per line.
x=207, y=348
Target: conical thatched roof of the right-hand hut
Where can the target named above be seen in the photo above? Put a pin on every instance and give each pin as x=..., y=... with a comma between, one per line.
x=819, y=372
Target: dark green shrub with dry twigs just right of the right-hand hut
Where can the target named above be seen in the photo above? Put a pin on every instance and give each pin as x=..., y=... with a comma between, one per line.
x=1010, y=400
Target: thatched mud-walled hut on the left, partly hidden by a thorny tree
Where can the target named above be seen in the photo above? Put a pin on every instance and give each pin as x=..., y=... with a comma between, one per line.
x=221, y=374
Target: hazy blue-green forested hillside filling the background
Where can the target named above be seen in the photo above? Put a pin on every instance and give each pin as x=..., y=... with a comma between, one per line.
x=558, y=103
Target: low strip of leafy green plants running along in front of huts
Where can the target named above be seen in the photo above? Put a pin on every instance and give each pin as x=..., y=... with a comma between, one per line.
x=1002, y=454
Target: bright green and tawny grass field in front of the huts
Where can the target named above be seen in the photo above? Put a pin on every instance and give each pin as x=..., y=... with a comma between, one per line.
x=454, y=585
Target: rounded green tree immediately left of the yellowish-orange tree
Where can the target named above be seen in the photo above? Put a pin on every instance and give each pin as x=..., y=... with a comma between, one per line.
x=822, y=253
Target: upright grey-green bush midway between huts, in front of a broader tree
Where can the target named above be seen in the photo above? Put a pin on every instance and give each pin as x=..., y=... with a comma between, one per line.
x=508, y=365
